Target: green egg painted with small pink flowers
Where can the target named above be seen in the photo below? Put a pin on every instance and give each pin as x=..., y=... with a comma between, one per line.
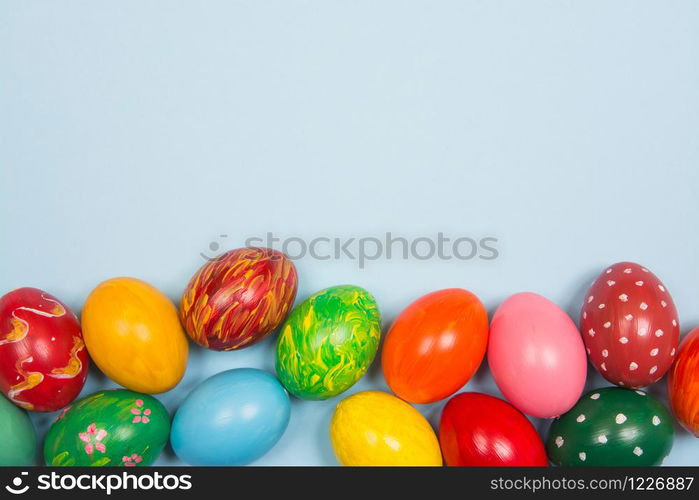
x=108, y=428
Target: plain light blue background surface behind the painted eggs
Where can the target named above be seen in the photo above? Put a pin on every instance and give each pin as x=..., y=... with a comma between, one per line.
x=134, y=133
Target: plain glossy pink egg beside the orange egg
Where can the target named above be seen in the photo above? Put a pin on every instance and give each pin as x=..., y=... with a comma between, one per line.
x=536, y=355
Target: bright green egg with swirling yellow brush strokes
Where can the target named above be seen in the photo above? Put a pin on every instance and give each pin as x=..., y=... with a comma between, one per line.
x=328, y=342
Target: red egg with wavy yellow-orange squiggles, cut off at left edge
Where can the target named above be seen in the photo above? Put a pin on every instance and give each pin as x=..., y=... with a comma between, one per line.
x=43, y=360
